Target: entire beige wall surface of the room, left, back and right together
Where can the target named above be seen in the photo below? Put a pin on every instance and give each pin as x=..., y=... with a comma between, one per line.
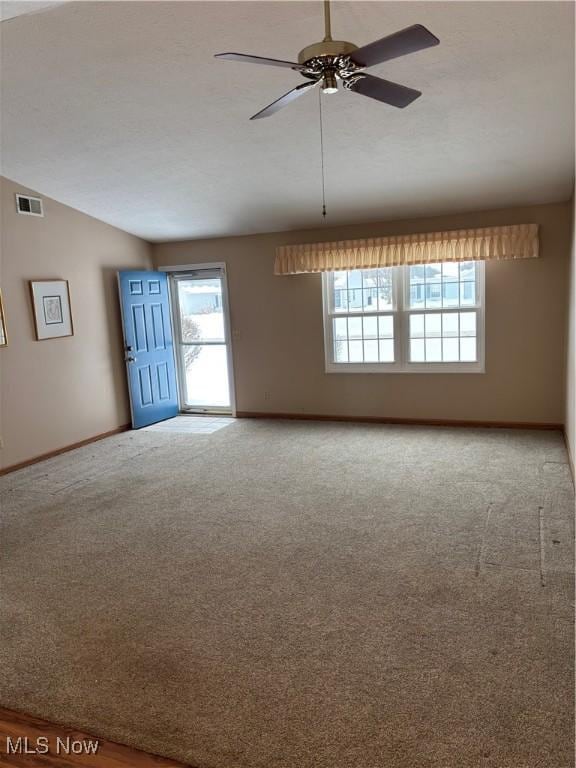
x=58, y=392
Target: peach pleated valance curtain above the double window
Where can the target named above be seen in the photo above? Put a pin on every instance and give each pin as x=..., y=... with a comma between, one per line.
x=518, y=241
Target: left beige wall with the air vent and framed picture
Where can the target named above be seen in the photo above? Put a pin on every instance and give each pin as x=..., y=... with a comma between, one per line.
x=57, y=392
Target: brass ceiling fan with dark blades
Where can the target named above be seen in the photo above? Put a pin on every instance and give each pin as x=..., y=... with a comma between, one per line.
x=327, y=62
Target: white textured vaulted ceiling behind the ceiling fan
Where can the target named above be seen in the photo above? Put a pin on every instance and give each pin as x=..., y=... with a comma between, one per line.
x=118, y=109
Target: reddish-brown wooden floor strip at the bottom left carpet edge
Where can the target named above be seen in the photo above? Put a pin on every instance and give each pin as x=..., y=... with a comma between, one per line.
x=42, y=743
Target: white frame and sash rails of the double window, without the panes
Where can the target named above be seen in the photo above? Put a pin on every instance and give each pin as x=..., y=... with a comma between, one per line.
x=401, y=313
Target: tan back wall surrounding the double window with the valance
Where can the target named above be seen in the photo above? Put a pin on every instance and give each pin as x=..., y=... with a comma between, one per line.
x=278, y=336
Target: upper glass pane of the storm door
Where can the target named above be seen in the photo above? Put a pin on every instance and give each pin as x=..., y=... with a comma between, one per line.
x=201, y=315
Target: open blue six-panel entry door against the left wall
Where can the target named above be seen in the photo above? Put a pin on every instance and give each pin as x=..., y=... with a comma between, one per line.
x=149, y=353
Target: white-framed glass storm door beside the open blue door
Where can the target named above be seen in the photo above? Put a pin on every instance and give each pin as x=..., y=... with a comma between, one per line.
x=203, y=352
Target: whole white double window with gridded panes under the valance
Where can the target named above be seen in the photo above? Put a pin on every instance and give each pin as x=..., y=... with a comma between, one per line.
x=423, y=318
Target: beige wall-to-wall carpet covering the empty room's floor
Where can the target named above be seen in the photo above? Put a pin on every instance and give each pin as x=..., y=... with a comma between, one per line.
x=298, y=595
